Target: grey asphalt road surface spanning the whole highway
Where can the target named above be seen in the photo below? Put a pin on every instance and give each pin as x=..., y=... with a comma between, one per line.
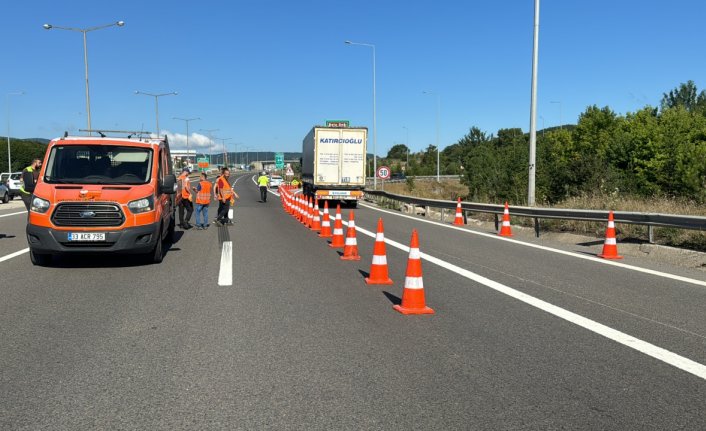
x=298, y=341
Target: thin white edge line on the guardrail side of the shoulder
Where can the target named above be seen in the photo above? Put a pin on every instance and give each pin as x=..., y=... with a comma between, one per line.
x=553, y=250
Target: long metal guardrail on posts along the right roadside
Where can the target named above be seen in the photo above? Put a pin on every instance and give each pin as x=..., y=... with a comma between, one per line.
x=647, y=219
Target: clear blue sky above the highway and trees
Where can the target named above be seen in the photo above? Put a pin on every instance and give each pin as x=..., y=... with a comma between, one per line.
x=264, y=72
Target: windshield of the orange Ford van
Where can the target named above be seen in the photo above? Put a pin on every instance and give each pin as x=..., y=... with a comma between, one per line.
x=98, y=164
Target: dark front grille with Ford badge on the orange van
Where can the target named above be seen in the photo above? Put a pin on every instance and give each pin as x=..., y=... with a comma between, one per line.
x=88, y=214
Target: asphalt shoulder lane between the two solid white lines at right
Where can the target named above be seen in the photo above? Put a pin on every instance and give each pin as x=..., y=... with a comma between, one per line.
x=666, y=312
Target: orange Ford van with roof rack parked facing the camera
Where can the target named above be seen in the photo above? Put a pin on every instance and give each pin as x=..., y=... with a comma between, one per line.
x=103, y=195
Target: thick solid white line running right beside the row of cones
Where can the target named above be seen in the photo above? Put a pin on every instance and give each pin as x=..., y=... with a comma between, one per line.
x=666, y=356
